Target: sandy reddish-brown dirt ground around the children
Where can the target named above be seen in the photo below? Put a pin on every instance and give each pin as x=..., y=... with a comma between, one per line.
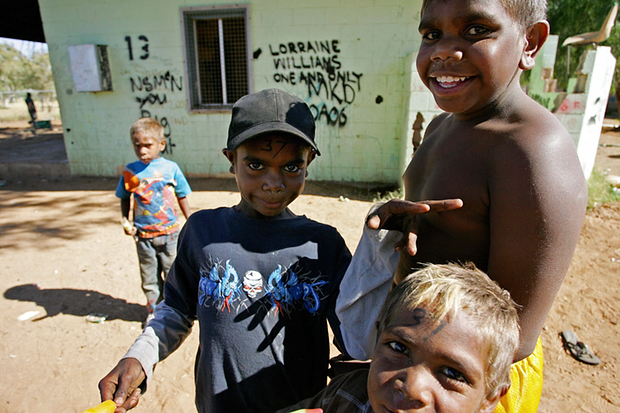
x=64, y=256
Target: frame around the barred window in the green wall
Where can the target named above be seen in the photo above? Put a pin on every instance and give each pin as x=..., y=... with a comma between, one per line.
x=190, y=15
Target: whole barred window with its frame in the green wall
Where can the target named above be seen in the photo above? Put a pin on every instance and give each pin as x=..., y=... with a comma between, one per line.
x=217, y=55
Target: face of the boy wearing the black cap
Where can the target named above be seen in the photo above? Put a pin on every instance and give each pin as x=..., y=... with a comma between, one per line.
x=270, y=171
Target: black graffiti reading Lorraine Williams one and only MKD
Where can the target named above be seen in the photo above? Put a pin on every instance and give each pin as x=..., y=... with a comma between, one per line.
x=316, y=65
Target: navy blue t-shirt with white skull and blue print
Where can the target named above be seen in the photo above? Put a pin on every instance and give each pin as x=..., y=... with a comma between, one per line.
x=262, y=291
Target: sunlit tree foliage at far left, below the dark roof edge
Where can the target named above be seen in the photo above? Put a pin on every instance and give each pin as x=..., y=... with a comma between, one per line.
x=19, y=72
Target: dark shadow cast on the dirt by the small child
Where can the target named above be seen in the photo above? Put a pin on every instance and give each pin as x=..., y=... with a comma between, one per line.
x=75, y=302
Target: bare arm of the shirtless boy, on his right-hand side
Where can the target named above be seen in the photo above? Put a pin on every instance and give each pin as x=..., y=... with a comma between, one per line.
x=538, y=197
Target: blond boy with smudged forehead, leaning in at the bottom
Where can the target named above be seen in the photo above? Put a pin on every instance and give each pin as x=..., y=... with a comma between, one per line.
x=447, y=336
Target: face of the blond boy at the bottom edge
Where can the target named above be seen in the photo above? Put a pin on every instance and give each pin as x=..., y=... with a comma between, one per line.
x=421, y=365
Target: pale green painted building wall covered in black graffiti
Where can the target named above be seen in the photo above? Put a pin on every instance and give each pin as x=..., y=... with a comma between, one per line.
x=375, y=44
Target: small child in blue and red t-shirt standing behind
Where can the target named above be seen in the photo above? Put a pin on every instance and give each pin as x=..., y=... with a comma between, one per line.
x=154, y=183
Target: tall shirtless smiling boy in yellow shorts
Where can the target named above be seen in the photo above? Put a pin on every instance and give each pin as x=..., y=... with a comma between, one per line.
x=507, y=167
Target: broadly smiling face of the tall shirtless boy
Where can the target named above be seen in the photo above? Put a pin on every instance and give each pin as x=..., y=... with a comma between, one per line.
x=470, y=53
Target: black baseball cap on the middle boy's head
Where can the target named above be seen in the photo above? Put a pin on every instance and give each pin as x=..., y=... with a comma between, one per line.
x=269, y=111
